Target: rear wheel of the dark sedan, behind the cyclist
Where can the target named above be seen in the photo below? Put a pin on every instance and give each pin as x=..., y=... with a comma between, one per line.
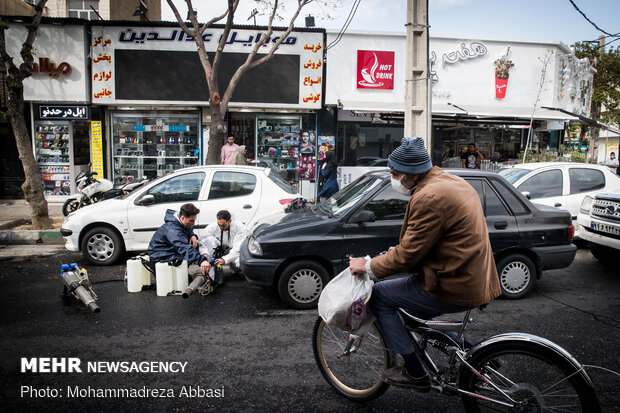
x=517, y=275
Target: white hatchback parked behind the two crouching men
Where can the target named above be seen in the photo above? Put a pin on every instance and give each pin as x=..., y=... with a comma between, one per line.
x=105, y=230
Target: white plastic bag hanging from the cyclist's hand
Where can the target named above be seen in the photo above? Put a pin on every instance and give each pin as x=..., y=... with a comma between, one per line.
x=344, y=302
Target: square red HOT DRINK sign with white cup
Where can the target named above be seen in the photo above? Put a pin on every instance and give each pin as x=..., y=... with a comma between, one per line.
x=375, y=70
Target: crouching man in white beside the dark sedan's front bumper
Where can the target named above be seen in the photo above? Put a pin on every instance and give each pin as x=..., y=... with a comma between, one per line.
x=224, y=233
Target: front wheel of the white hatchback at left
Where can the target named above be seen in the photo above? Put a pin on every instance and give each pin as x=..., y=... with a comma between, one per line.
x=102, y=246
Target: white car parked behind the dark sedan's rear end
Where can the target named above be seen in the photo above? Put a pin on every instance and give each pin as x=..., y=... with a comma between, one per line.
x=561, y=184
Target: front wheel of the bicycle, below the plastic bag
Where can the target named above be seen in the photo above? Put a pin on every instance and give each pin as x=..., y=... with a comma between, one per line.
x=352, y=365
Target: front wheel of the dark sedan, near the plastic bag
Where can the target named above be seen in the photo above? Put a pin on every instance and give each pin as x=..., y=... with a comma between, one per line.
x=301, y=284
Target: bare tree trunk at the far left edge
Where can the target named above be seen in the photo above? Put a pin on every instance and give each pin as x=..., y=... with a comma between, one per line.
x=14, y=77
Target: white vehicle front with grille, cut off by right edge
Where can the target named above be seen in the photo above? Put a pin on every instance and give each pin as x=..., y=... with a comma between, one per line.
x=599, y=222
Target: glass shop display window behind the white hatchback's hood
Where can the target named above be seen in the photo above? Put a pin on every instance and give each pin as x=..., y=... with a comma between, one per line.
x=152, y=144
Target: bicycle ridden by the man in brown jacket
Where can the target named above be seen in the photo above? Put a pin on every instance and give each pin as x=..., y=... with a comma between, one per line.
x=506, y=372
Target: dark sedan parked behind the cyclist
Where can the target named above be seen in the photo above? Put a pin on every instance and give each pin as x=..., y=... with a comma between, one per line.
x=299, y=254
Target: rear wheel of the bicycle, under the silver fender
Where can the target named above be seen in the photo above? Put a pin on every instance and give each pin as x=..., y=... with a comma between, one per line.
x=536, y=378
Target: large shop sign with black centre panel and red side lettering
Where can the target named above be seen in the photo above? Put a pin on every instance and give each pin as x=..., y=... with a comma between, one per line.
x=118, y=53
